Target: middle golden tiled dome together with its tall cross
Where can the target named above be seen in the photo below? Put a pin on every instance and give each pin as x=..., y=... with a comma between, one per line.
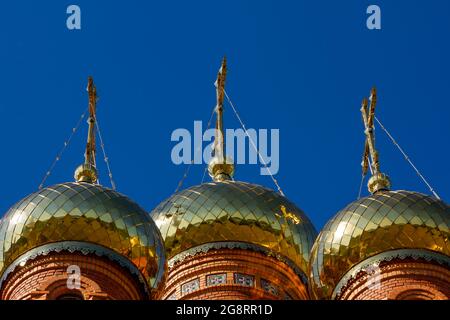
x=226, y=213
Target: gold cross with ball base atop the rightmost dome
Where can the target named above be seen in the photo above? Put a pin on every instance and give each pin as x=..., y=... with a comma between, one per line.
x=378, y=181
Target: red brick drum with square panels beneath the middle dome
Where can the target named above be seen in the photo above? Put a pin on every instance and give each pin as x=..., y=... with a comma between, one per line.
x=228, y=262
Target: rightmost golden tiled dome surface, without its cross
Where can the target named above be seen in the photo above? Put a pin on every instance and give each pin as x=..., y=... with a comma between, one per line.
x=384, y=221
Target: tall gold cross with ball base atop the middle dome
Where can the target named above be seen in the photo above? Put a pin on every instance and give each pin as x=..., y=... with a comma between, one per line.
x=220, y=167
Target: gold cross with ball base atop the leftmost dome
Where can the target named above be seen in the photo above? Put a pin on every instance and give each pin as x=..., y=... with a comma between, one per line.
x=87, y=172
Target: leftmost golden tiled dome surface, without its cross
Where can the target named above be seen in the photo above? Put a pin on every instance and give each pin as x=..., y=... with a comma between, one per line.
x=83, y=213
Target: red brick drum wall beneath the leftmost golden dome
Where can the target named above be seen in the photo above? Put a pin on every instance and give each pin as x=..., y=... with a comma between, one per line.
x=45, y=278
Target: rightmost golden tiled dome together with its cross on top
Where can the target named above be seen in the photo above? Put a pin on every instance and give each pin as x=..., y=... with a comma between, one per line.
x=380, y=227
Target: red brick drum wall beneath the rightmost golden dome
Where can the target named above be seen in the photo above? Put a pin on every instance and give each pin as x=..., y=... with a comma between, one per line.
x=401, y=280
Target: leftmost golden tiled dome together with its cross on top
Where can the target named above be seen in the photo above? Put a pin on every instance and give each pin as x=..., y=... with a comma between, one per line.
x=84, y=217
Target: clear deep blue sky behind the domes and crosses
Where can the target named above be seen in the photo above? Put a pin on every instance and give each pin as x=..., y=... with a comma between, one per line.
x=300, y=66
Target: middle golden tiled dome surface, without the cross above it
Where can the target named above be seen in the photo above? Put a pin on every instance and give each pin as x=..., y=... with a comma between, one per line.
x=232, y=211
